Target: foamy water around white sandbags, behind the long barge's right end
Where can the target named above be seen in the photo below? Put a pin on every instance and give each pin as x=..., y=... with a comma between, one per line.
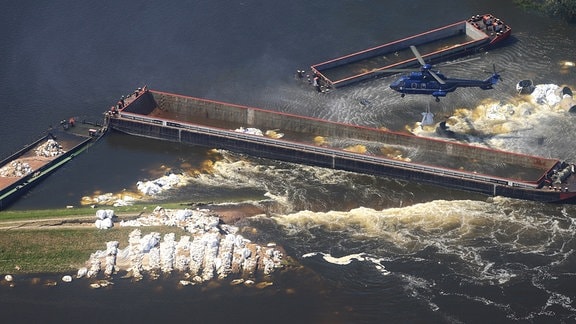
x=500, y=124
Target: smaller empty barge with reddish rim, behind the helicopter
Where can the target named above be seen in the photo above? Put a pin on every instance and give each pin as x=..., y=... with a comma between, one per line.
x=458, y=39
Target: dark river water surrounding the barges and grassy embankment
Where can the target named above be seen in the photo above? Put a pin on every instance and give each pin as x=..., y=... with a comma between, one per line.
x=372, y=249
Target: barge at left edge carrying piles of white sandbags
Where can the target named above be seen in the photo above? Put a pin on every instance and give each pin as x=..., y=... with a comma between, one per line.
x=23, y=170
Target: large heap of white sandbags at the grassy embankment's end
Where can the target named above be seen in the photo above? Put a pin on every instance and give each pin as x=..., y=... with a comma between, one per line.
x=211, y=250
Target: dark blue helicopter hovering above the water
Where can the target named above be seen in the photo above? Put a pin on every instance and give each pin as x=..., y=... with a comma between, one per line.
x=429, y=82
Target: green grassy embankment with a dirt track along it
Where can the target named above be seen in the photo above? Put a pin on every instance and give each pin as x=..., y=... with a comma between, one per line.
x=33, y=242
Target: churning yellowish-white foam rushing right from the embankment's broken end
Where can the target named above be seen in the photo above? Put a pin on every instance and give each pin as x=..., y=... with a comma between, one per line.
x=494, y=243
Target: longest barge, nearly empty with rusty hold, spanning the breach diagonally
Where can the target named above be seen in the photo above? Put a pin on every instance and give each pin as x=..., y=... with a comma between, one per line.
x=316, y=142
